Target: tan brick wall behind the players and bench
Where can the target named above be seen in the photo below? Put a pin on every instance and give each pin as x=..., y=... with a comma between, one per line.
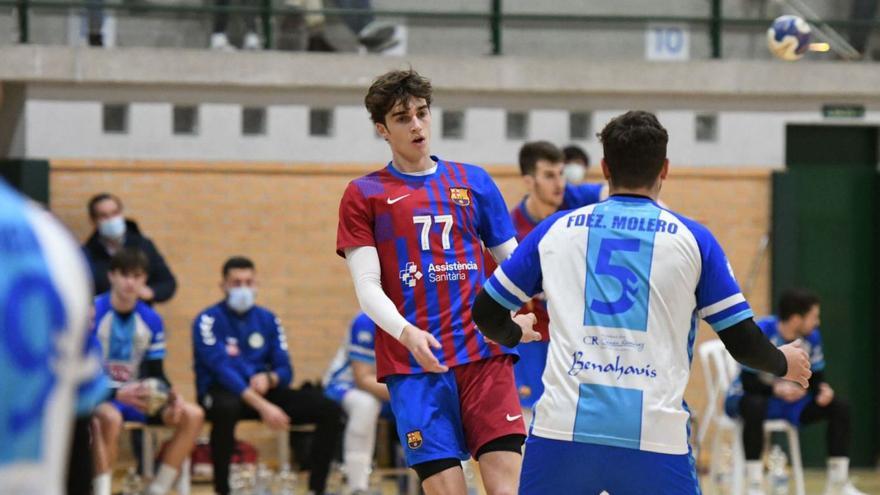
x=284, y=217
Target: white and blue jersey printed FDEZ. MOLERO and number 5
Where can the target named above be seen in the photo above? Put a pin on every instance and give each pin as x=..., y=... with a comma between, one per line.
x=626, y=282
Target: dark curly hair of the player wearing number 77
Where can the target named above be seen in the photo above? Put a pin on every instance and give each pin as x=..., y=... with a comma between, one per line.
x=394, y=87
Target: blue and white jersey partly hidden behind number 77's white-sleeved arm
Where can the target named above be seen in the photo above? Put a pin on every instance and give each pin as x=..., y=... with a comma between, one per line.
x=359, y=346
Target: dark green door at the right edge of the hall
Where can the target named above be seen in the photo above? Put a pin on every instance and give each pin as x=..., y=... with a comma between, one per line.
x=825, y=238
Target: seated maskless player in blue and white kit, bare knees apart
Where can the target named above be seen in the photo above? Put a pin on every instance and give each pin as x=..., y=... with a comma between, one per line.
x=132, y=340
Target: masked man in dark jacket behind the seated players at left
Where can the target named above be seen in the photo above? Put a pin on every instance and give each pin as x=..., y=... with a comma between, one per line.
x=113, y=232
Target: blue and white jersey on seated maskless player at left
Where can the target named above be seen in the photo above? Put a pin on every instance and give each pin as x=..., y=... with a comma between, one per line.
x=127, y=339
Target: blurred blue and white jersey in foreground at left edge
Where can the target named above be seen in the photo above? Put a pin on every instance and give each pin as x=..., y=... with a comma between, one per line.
x=45, y=292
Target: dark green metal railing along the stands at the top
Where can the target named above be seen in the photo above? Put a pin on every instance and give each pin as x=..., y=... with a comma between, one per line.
x=495, y=17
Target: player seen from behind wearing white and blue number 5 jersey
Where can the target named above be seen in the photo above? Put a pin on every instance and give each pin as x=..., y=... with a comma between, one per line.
x=625, y=281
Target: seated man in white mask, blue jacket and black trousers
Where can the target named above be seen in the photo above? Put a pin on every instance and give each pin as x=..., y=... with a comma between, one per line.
x=243, y=371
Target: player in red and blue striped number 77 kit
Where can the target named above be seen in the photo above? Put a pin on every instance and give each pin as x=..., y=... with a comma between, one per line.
x=412, y=235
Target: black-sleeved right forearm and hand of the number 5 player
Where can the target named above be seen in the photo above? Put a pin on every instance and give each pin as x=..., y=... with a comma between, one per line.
x=749, y=346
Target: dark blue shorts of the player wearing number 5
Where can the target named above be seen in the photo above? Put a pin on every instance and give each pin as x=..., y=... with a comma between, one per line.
x=556, y=466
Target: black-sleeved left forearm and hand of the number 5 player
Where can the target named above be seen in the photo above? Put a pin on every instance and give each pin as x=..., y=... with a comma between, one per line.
x=495, y=323
